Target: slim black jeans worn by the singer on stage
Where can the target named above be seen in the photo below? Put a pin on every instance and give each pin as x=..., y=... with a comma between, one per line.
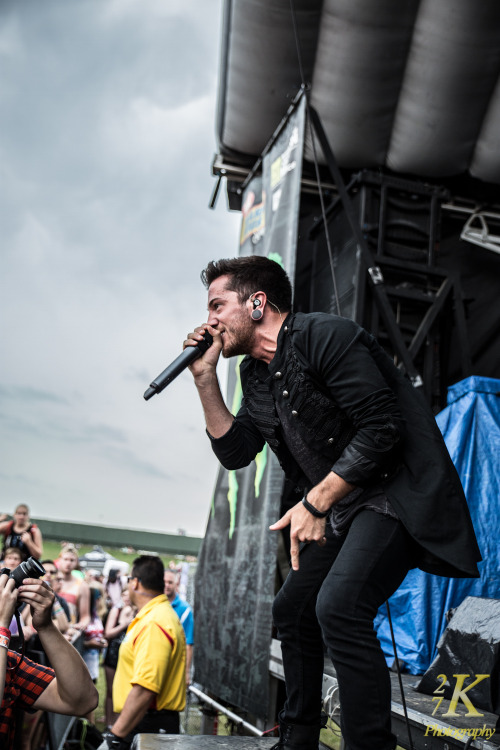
x=334, y=597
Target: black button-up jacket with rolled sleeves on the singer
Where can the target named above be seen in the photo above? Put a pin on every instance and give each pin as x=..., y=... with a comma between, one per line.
x=350, y=402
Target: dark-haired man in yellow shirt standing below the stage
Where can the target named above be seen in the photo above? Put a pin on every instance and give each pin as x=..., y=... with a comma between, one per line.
x=149, y=687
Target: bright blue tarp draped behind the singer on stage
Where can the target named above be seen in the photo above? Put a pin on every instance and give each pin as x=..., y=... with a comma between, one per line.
x=470, y=424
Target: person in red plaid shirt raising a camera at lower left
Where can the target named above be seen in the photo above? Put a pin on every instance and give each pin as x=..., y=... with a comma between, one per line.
x=64, y=688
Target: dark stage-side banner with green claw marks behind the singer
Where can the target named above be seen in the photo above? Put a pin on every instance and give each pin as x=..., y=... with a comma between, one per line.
x=235, y=578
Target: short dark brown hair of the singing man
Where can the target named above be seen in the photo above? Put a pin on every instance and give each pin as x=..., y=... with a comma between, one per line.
x=252, y=273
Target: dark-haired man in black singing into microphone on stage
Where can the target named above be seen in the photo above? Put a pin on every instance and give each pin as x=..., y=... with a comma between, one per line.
x=380, y=493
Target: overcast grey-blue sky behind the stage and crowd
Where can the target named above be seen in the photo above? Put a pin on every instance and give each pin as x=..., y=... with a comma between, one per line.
x=107, y=133
